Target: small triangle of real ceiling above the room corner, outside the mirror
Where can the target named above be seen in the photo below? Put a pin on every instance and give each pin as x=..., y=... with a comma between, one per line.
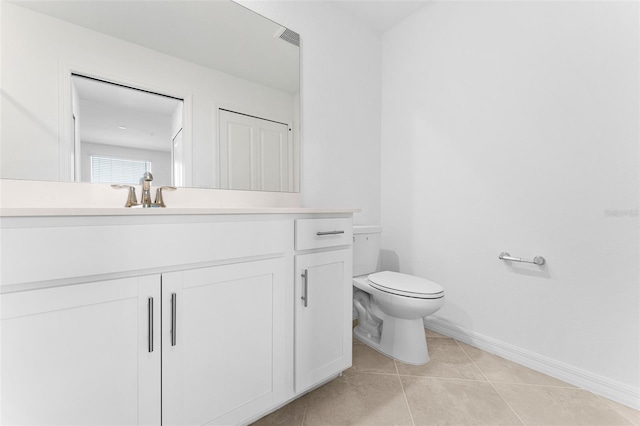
x=380, y=15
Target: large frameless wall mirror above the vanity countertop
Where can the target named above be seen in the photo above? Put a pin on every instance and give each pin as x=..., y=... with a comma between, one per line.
x=203, y=93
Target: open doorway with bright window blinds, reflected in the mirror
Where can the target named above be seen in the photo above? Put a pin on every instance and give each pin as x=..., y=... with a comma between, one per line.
x=121, y=132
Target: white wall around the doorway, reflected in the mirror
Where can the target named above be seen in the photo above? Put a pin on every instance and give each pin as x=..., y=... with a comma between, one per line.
x=35, y=51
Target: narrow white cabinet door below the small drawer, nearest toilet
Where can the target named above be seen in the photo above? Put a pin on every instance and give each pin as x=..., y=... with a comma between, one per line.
x=323, y=316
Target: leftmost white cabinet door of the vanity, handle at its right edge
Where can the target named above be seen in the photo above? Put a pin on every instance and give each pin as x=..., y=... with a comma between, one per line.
x=82, y=354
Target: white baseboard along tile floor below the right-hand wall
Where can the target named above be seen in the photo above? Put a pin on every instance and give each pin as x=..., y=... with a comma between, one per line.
x=599, y=385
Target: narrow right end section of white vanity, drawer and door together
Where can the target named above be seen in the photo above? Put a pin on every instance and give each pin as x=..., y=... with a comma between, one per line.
x=323, y=300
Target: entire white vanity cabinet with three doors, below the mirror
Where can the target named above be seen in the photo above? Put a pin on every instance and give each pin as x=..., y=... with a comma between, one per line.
x=170, y=316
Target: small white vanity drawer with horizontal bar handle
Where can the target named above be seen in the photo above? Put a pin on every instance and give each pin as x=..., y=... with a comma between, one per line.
x=319, y=233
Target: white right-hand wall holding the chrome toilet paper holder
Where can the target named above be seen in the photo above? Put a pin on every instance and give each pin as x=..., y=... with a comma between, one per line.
x=514, y=126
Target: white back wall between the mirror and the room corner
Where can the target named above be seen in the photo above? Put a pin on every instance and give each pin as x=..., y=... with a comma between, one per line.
x=340, y=108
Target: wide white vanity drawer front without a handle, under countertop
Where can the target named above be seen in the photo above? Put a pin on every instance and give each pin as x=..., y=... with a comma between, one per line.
x=66, y=252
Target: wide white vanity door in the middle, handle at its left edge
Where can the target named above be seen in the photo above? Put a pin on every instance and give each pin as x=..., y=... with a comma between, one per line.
x=224, y=348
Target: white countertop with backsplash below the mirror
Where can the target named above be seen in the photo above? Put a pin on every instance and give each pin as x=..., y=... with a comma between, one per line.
x=21, y=198
